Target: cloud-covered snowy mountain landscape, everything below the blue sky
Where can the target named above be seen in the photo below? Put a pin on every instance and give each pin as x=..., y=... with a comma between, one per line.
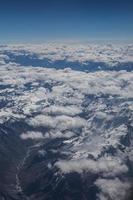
x=66, y=133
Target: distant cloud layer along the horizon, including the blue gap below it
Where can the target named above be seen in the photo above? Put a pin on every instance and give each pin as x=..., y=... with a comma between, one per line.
x=78, y=56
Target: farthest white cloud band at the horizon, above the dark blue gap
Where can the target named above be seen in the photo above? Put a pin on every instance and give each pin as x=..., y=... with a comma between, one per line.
x=110, y=54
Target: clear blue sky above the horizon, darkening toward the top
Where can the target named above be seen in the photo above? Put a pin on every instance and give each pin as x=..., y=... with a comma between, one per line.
x=49, y=20
